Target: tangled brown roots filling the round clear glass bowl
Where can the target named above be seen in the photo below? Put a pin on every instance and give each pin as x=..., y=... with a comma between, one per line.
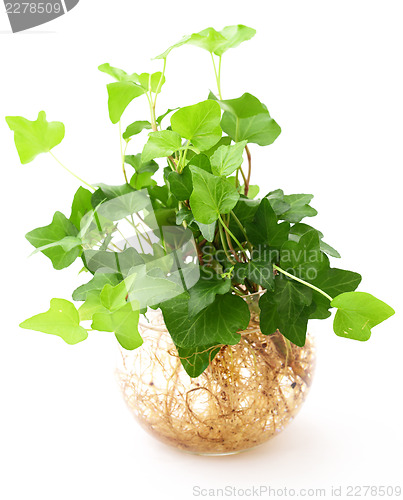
x=246, y=396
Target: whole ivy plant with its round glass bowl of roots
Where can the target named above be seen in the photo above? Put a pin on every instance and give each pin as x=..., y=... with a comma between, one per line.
x=210, y=287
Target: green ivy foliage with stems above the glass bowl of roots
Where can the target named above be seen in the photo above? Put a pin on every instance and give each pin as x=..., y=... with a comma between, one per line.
x=188, y=187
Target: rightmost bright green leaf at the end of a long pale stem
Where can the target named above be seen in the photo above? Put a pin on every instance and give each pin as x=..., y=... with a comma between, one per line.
x=357, y=313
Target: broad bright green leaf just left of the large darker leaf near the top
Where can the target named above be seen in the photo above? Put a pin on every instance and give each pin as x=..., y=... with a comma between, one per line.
x=199, y=124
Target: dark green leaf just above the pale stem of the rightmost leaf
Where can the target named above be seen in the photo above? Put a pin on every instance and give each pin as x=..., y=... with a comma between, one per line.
x=304, y=259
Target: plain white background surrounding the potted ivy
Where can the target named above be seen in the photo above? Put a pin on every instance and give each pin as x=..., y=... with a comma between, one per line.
x=331, y=75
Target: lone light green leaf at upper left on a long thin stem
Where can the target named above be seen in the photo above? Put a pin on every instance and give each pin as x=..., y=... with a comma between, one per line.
x=35, y=137
